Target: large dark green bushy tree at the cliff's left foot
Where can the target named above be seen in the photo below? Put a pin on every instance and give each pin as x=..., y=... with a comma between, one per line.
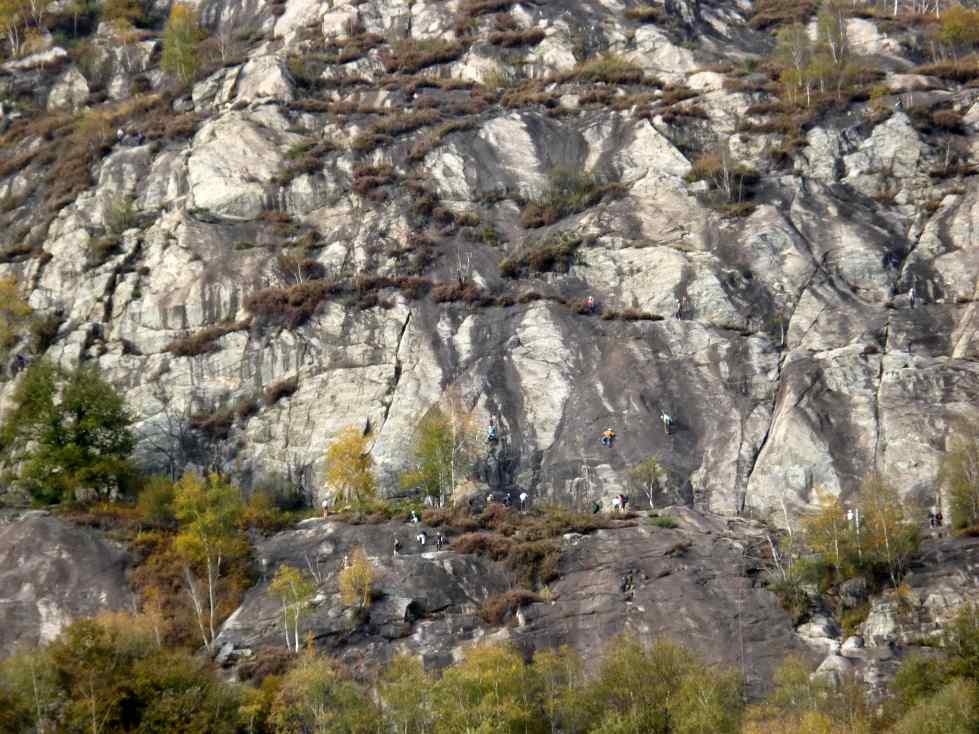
x=74, y=431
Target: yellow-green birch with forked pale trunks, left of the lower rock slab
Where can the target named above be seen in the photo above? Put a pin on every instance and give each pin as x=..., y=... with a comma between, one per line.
x=209, y=511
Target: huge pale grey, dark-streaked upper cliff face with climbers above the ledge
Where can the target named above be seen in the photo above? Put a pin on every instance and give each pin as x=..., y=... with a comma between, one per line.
x=392, y=140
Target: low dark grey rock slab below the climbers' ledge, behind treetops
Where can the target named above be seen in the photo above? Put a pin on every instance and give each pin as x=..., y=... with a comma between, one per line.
x=696, y=583
